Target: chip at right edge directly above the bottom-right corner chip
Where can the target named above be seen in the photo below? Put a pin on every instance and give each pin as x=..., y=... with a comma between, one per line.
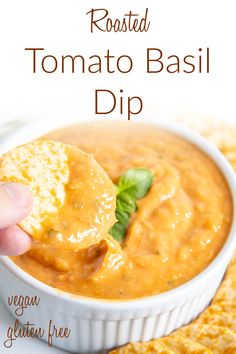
x=223, y=319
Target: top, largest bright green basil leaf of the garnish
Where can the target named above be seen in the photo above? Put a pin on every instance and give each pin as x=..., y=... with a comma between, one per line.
x=136, y=182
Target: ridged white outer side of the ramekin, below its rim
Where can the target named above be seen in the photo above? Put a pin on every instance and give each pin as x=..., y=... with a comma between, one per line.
x=97, y=331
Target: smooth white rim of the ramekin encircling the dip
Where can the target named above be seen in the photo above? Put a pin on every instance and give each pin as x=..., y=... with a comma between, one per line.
x=225, y=253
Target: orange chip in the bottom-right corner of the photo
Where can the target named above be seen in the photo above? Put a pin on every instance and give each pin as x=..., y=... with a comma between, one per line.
x=217, y=339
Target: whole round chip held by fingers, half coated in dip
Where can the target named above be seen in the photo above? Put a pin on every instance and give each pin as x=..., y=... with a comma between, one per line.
x=74, y=199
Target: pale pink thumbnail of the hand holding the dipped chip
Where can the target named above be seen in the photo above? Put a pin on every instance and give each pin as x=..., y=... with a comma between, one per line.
x=18, y=193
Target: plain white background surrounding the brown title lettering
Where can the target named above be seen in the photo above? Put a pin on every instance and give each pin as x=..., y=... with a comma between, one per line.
x=178, y=27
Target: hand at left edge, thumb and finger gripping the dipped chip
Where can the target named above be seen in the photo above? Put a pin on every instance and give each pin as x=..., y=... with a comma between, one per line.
x=15, y=204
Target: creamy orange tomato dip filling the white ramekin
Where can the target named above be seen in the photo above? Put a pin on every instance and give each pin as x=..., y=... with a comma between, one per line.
x=178, y=229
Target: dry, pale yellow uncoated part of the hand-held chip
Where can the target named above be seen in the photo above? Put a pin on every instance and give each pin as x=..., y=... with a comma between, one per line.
x=44, y=168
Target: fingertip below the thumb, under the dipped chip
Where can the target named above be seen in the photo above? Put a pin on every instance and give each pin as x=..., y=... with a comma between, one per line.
x=14, y=241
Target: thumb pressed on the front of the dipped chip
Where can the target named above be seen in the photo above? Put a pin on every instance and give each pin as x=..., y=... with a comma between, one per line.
x=15, y=203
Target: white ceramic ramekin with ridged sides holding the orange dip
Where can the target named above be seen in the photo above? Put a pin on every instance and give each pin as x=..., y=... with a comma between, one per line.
x=99, y=325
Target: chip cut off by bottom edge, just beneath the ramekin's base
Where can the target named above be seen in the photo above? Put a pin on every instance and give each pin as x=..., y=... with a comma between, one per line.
x=152, y=347
